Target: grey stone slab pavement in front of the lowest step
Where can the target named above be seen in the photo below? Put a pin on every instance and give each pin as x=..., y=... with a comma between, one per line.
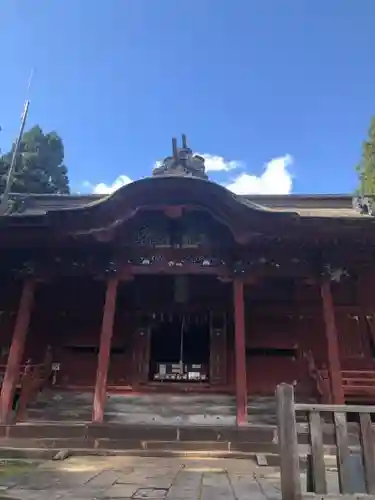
x=145, y=478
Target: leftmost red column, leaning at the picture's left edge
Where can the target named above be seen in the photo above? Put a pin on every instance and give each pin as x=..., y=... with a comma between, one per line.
x=16, y=350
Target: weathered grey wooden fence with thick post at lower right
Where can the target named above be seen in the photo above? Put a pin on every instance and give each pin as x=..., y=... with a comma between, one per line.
x=347, y=468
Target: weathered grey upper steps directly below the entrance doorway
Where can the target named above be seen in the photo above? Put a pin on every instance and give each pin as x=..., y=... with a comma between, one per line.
x=157, y=409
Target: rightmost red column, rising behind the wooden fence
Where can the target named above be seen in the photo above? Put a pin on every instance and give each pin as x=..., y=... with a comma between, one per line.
x=334, y=365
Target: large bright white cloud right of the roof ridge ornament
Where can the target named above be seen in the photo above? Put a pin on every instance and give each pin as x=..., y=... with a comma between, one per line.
x=276, y=179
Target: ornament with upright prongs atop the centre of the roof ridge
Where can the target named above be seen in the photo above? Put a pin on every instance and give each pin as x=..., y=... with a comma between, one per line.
x=183, y=162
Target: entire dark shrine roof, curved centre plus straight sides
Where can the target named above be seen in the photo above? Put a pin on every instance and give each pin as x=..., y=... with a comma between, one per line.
x=244, y=215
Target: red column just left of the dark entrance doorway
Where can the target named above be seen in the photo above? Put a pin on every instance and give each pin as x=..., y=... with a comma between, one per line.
x=105, y=350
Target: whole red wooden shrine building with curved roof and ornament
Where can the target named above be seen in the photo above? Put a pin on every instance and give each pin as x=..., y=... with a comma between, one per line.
x=174, y=285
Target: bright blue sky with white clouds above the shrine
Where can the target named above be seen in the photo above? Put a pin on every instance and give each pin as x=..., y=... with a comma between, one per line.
x=277, y=93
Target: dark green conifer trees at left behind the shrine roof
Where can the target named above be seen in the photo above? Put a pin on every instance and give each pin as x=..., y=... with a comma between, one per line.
x=40, y=165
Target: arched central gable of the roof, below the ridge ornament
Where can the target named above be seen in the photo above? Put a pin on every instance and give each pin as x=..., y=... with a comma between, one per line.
x=230, y=209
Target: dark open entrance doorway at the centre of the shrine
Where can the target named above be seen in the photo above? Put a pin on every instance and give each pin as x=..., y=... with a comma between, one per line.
x=180, y=348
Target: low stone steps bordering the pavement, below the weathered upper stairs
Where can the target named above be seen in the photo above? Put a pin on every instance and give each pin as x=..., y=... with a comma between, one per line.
x=149, y=440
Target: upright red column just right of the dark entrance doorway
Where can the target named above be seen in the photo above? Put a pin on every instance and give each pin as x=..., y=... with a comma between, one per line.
x=240, y=352
